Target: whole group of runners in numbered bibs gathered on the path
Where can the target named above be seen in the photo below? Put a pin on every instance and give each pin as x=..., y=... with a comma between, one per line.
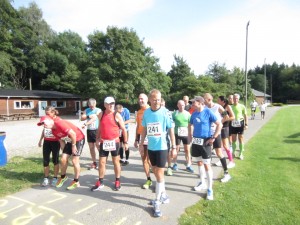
x=199, y=124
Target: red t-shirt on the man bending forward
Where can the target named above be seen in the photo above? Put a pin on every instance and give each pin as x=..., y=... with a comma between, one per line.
x=63, y=127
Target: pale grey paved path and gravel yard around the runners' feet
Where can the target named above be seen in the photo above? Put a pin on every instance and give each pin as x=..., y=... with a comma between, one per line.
x=39, y=205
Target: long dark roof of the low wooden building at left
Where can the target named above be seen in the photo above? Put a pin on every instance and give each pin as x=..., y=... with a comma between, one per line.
x=36, y=94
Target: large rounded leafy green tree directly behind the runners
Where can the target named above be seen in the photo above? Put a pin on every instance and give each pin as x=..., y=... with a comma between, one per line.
x=120, y=65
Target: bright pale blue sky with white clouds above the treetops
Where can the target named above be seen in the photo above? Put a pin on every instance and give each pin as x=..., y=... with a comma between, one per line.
x=202, y=32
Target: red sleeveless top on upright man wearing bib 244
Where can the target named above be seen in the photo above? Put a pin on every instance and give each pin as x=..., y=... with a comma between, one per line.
x=109, y=128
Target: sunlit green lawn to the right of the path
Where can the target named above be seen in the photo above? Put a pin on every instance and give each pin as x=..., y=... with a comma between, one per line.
x=265, y=188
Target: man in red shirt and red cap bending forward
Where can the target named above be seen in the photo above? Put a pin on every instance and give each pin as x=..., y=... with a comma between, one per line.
x=72, y=141
